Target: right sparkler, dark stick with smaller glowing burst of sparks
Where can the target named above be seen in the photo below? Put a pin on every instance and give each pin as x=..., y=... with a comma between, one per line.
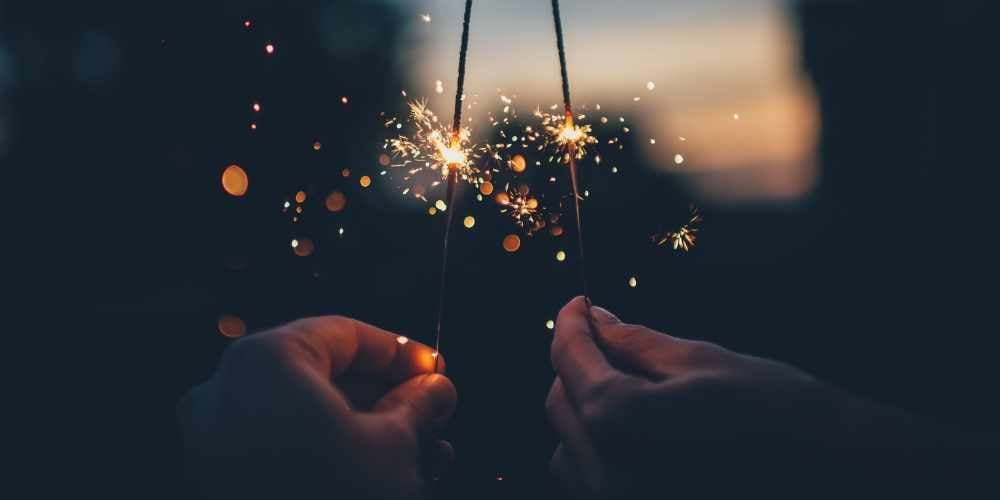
x=572, y=139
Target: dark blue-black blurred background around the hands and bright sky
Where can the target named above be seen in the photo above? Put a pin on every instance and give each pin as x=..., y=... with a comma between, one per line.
x=125, y=250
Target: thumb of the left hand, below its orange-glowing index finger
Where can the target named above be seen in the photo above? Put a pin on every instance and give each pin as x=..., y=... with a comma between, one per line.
x=424, y=401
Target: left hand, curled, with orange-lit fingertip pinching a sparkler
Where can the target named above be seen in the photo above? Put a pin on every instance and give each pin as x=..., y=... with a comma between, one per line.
x=319, y=408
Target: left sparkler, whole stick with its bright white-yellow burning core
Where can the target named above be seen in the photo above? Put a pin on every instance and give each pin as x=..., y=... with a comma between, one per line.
x=456, y=159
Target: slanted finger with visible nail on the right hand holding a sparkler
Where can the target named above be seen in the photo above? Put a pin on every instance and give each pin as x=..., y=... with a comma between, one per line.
x=636, y=347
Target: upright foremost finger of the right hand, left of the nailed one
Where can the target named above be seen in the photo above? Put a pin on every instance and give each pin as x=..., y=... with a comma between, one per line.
x=575, y=355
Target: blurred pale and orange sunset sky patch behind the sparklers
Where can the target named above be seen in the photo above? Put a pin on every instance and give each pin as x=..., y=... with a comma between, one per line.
x=726, y=75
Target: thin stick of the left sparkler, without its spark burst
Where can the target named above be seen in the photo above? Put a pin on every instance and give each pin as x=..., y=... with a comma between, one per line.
x=453, y=173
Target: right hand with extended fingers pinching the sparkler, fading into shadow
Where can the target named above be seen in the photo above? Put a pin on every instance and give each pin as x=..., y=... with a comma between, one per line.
x=640, y=411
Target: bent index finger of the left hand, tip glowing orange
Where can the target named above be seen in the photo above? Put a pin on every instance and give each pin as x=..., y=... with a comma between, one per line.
x=337, y=345
